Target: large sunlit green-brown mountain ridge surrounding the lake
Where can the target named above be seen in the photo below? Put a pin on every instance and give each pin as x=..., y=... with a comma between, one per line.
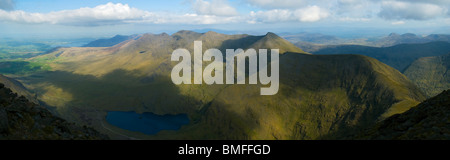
x=319, y=97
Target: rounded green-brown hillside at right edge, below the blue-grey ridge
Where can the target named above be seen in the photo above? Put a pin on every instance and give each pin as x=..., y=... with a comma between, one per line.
x=431, y=74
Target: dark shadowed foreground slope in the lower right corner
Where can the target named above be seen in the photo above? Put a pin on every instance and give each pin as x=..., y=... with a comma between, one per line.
x=427, y=121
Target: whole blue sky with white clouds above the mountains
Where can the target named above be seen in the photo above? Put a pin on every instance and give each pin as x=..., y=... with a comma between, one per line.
x=96, y=18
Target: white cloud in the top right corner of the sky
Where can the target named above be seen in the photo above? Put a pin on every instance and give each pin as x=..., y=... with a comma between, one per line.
x=397, y=10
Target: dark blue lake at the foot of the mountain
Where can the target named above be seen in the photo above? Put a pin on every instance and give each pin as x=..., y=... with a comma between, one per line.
x=147, y=123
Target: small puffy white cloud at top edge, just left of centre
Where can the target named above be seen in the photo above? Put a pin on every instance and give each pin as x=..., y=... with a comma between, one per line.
x=215, y=7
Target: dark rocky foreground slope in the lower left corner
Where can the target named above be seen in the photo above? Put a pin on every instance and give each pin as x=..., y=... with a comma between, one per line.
x=23, y=120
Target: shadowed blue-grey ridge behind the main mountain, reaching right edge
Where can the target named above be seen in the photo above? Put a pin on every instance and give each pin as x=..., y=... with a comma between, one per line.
x=399, y=56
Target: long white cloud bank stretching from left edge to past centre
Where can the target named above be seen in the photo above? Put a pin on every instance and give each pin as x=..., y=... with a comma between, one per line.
x=111, y=14
